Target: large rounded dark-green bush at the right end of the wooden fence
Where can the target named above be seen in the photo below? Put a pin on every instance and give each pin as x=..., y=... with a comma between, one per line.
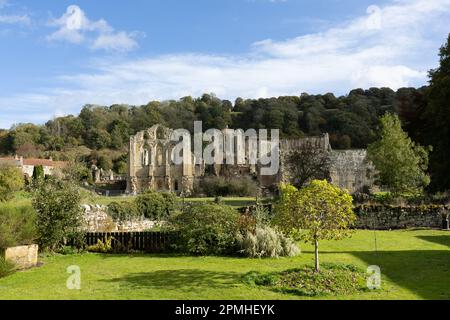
x=208, y=229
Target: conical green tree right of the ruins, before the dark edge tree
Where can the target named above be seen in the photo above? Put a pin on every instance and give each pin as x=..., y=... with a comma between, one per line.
x=401, y=163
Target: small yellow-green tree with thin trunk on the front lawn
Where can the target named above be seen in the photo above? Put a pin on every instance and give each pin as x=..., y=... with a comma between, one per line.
x=319, y=211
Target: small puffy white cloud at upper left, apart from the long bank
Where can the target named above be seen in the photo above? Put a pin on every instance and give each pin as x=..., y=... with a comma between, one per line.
x=75, y=27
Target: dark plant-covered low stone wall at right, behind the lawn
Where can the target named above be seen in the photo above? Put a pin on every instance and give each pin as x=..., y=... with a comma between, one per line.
x=385, y=217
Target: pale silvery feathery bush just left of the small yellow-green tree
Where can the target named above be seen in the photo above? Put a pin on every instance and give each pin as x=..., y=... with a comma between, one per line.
x=266, y=242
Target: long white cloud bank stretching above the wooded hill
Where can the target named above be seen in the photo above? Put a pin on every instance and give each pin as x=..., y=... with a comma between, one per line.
x=396, y=52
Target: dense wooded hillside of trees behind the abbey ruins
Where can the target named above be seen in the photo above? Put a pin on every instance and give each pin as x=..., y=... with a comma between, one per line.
x=100, y=134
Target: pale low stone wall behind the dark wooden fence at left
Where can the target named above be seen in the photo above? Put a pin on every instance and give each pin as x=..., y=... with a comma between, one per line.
x=97, y=220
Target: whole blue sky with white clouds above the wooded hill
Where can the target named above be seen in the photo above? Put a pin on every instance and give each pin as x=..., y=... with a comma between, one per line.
x=56, y=56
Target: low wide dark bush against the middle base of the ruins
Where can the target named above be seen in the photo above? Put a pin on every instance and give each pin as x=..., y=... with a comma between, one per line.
x=220, y=186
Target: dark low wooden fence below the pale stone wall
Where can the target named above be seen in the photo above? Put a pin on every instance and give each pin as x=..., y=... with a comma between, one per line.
x=150, y=242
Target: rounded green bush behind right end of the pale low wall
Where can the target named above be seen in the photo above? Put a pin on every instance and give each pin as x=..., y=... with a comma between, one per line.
x=155, y=205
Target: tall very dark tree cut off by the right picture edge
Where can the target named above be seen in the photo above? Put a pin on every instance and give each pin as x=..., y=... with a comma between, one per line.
x=437, y=120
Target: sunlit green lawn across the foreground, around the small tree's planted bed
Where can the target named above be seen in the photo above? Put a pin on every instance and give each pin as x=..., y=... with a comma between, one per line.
x=414, y=264
